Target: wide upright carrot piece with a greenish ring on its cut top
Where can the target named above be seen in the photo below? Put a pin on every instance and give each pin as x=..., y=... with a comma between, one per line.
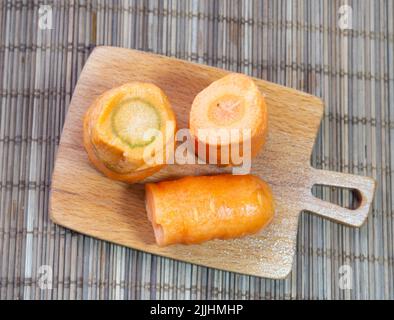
x=119, y=131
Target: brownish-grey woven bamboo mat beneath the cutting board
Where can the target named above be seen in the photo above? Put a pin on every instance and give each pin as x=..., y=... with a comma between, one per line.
x=301, y=44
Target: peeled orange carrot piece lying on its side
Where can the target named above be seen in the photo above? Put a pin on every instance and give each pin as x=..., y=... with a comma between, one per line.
x=196, y=209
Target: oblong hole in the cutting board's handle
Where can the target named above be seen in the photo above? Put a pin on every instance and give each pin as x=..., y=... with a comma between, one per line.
x=338, y=195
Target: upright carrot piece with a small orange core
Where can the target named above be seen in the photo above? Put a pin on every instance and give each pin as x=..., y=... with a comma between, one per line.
x=231, y=103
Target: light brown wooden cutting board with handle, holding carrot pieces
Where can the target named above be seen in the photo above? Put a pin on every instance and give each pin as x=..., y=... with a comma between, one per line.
x=84, y=200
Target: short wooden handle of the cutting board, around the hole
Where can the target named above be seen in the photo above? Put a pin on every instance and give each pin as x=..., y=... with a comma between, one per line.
x=364, y=186
